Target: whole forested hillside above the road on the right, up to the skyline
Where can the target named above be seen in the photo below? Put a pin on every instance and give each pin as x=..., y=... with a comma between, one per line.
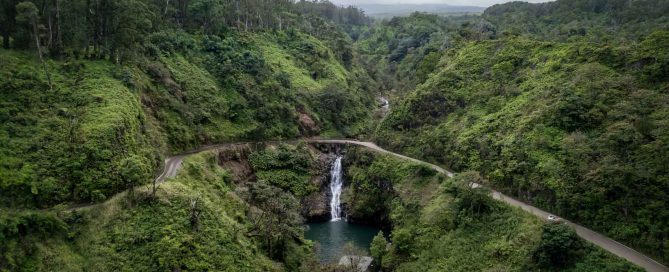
x=560, y=104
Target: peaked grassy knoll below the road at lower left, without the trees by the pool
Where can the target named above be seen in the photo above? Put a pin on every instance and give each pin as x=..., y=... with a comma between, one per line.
x=156, y=234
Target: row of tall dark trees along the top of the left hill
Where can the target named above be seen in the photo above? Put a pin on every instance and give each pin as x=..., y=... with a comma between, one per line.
x=118, y=29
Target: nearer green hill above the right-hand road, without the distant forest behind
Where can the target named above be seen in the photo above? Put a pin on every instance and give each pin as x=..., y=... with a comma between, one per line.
x=568, y=126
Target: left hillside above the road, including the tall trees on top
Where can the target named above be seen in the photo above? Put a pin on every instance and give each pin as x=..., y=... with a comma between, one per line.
x=70, y=121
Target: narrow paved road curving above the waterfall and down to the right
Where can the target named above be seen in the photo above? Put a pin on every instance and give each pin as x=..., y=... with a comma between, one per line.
x=172, y=165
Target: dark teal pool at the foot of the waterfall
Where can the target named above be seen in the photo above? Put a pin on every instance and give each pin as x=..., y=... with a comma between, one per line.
x=332, y=236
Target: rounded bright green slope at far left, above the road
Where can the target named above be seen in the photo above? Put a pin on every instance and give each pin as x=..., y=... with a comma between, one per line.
x=65, y=144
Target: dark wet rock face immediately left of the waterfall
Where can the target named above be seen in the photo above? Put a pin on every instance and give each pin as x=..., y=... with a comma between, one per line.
x=316, y=206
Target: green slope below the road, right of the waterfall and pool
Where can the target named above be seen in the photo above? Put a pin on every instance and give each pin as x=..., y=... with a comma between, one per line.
x=444, y=224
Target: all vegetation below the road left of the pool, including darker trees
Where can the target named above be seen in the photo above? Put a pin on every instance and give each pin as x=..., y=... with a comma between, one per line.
x=196, y=221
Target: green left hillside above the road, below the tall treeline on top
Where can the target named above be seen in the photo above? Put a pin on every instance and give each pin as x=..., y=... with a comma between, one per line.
x=188, y=91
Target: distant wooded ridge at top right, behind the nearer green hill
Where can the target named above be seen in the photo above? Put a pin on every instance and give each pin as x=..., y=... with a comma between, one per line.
x=581, y=19
